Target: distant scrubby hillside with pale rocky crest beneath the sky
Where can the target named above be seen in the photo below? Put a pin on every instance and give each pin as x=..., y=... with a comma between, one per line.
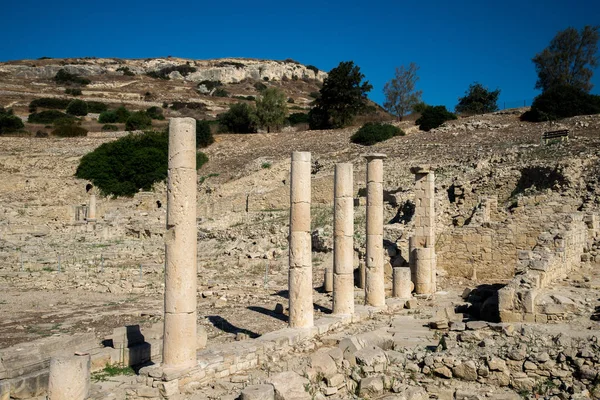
x=204, y=89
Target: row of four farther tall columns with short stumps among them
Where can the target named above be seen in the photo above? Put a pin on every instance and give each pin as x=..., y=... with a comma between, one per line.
x=340, y=279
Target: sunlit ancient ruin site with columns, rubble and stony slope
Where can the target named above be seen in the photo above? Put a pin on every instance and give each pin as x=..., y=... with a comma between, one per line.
x=479, y=270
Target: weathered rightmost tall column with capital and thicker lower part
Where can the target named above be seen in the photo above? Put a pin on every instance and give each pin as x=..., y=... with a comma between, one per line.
x=422, y=258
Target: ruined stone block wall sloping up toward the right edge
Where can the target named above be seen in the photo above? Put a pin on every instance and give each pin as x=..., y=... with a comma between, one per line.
x=558, y=251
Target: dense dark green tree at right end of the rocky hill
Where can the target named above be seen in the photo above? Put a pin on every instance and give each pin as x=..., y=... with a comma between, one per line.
x=343, y=96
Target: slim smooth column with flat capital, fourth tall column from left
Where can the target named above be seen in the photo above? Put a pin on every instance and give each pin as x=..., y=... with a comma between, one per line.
x=375, y=279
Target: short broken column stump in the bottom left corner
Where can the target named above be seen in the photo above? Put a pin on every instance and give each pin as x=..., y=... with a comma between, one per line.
x=69, y=377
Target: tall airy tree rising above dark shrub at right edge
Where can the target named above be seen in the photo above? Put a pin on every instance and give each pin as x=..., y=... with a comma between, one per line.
x=569, y=59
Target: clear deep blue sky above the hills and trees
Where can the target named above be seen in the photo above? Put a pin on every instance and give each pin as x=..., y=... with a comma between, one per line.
x=454, y=43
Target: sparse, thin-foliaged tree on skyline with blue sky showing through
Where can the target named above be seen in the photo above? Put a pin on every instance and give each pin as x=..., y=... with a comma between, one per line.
x=400, y=93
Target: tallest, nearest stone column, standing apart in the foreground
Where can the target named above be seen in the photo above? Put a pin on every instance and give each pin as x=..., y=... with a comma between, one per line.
x=179, y=340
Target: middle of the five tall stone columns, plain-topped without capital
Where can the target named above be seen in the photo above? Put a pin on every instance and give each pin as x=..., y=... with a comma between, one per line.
x=343, y=240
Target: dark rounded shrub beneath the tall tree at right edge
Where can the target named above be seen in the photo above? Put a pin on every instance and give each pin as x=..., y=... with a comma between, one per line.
x=562, y=102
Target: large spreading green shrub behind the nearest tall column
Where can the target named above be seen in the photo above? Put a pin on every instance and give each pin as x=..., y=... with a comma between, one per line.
x=131, y=163
